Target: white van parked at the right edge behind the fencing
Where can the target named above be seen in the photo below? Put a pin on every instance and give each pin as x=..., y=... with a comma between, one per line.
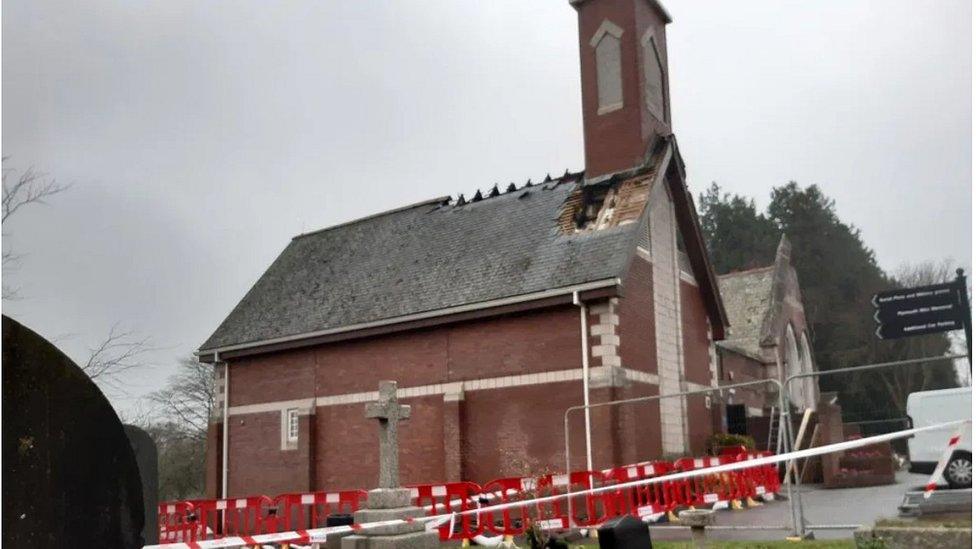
x=924, y=449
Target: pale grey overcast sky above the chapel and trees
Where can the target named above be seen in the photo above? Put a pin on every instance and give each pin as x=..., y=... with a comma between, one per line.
x=200, y=136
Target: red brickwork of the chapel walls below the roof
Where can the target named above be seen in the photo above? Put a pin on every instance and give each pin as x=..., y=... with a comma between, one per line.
x=490, y=433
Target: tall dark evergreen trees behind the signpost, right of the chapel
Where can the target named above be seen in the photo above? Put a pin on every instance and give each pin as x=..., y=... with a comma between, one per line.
x=838, y=275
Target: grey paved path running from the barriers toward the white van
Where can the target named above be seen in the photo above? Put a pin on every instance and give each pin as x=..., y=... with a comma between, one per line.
x=820, y=506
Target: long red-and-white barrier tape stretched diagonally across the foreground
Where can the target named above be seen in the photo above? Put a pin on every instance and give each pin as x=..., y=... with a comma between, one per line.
x=319, y=535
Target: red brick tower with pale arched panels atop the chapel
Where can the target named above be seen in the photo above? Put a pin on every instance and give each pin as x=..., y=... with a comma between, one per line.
x=624, y=73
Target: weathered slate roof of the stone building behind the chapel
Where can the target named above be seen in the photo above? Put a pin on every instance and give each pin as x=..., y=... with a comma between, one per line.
x=748, y=296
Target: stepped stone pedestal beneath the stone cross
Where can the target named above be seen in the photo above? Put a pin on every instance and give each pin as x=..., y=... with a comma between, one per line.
x=385, y=504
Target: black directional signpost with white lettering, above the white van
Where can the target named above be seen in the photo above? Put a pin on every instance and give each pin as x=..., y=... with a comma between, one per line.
x=924, y=310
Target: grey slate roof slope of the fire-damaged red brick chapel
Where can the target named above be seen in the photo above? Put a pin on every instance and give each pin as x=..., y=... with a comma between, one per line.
x=423, y=258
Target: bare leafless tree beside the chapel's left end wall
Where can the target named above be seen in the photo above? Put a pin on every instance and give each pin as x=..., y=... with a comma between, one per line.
x=187, y=400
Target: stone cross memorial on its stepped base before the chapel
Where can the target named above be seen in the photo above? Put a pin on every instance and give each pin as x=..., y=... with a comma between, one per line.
x=389, y=501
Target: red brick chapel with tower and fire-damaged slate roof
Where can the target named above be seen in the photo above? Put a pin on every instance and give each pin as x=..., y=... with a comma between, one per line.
x=602, y=271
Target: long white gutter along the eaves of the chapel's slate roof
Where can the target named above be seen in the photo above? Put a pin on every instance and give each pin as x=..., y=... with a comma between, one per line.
x=421, y=316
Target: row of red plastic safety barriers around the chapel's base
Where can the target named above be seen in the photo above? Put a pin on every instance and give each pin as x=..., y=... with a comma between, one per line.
x=195, y=520
